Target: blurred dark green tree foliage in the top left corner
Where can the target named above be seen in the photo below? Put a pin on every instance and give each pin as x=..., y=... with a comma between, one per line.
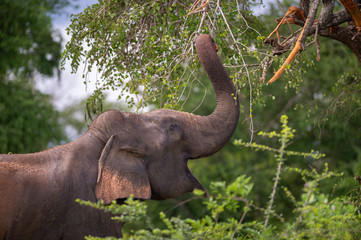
x=27, y=41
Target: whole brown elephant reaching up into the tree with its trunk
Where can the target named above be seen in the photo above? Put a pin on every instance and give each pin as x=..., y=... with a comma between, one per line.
x=121, y=154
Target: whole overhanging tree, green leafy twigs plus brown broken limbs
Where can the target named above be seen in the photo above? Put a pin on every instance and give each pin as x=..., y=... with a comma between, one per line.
x=146, y=48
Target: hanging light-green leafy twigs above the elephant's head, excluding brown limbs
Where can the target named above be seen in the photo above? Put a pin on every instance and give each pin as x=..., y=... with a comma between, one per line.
x=147, y=48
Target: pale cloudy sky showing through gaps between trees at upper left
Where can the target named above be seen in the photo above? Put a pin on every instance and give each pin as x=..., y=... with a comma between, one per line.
x=71, y=88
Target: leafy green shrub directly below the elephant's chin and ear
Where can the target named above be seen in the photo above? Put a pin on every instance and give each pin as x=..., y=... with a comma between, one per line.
x=223, y=198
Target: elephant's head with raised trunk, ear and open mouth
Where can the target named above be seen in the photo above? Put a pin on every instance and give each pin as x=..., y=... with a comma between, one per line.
x=146, y=155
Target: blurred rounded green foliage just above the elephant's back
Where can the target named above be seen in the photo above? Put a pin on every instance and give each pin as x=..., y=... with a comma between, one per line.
x=28, y=121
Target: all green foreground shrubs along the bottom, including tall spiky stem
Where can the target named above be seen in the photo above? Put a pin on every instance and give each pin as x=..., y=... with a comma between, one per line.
x=317, y=216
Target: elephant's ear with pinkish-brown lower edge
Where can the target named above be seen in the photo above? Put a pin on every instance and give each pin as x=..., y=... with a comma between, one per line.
x=121, y=173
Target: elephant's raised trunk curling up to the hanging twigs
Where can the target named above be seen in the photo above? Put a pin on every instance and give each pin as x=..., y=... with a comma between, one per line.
x=217, y=128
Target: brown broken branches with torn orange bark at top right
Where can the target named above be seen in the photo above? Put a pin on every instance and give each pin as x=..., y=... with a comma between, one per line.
x=328, y=25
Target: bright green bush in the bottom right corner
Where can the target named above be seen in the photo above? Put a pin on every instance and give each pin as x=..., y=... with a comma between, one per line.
x=317, y=216
